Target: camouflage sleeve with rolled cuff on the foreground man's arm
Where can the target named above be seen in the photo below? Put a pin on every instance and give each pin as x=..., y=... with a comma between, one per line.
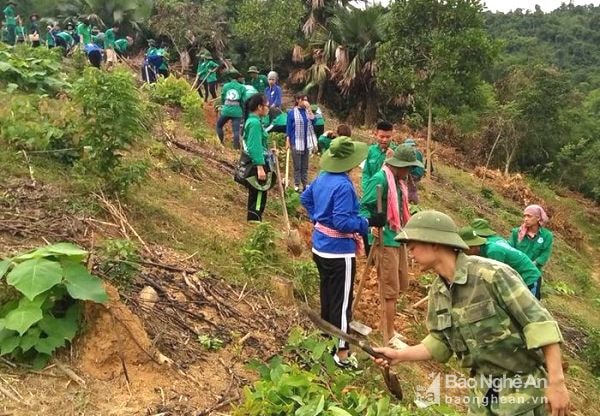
x=538, y=326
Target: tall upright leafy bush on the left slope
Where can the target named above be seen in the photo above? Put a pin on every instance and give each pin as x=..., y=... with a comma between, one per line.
x=114, y=118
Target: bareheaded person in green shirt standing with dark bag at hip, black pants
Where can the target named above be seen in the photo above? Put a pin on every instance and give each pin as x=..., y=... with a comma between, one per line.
x=255, y=147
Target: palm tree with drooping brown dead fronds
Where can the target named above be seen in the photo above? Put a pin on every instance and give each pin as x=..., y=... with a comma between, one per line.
x=345, y=52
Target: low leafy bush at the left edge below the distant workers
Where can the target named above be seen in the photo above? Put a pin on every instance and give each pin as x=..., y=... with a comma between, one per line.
x=31, y=69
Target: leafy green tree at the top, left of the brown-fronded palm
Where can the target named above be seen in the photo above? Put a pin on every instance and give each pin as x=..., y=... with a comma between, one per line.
x=272, y=26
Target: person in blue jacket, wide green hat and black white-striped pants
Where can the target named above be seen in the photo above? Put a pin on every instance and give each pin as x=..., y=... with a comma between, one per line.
x=332, y=204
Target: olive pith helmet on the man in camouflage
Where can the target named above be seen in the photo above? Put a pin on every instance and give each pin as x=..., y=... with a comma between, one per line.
x=432, y=227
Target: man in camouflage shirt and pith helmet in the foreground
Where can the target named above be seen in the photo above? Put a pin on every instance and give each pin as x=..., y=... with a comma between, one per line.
x=480, y=311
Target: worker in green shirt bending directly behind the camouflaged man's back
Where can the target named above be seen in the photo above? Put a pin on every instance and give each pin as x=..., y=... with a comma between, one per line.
x=502, y=252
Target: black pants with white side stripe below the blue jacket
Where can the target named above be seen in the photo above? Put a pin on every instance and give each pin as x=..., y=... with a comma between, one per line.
x=337, y=281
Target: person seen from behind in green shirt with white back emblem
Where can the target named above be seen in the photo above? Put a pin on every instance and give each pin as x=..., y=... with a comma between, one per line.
x=233, y=97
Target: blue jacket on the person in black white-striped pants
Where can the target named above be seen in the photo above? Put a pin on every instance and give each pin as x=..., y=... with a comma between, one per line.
x=332, y=201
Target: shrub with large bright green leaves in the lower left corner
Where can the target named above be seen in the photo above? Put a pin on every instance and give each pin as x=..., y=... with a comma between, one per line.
x=51, y=282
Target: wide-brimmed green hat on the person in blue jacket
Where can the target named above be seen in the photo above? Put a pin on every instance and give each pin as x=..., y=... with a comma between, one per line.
x=343, y=154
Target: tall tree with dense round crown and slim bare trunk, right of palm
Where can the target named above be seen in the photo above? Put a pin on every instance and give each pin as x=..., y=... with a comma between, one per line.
x=436, y=51
